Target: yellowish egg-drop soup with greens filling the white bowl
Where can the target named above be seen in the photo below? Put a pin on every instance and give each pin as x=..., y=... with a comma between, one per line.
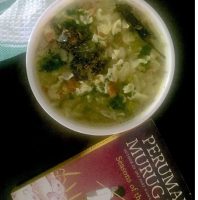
x=100, y=62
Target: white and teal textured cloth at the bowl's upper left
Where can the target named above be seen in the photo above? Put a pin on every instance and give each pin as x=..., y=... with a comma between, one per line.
x=17, y=18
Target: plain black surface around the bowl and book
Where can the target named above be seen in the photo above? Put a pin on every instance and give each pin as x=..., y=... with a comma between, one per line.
x=31, y=143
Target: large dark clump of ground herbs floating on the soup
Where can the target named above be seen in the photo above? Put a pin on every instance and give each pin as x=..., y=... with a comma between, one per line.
x=77, y=40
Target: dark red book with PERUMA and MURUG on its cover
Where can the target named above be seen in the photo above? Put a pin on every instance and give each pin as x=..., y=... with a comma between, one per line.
x=132, y=165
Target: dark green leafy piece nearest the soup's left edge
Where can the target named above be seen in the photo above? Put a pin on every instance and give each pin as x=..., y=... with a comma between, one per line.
x=51, y=62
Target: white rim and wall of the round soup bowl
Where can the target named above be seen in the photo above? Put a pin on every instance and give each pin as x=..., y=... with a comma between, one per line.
x=73, y=125
